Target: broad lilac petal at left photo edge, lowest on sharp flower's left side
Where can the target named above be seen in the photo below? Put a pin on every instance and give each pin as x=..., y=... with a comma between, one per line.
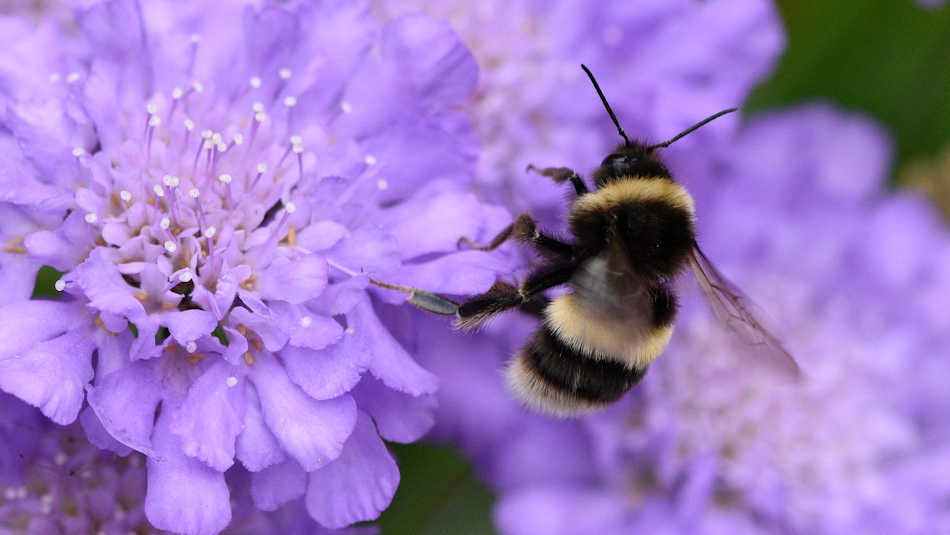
x=52, y=374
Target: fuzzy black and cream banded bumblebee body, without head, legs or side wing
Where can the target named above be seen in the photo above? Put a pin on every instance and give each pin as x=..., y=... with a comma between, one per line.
x=597, y=341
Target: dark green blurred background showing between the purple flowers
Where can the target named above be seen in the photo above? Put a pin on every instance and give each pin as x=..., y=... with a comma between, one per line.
x=889, y=60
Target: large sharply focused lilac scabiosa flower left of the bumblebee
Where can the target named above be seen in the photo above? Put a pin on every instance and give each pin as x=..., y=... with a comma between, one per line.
x=216, y=185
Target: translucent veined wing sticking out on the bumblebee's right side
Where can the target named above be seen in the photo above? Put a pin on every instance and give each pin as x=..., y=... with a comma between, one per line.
x=741, y=316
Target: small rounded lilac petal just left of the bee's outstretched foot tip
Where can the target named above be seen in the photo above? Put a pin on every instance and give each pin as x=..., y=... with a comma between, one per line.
x=294, y=281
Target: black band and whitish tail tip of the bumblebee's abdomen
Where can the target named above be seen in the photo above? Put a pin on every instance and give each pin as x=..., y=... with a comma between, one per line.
x=552, y=376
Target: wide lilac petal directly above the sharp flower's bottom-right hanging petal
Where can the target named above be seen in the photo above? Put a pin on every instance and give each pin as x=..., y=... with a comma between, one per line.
x=311, y=431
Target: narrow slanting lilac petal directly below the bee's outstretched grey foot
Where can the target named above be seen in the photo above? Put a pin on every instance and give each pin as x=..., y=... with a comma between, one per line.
x=389, y=362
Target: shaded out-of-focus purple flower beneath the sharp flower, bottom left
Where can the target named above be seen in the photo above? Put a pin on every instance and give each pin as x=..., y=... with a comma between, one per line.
x=58, y=482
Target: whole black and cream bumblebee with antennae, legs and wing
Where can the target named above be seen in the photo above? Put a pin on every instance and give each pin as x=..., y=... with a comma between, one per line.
x=629, y=238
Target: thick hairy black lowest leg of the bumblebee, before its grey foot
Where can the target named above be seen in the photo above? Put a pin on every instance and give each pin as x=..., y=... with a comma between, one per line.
x=503, y=296
